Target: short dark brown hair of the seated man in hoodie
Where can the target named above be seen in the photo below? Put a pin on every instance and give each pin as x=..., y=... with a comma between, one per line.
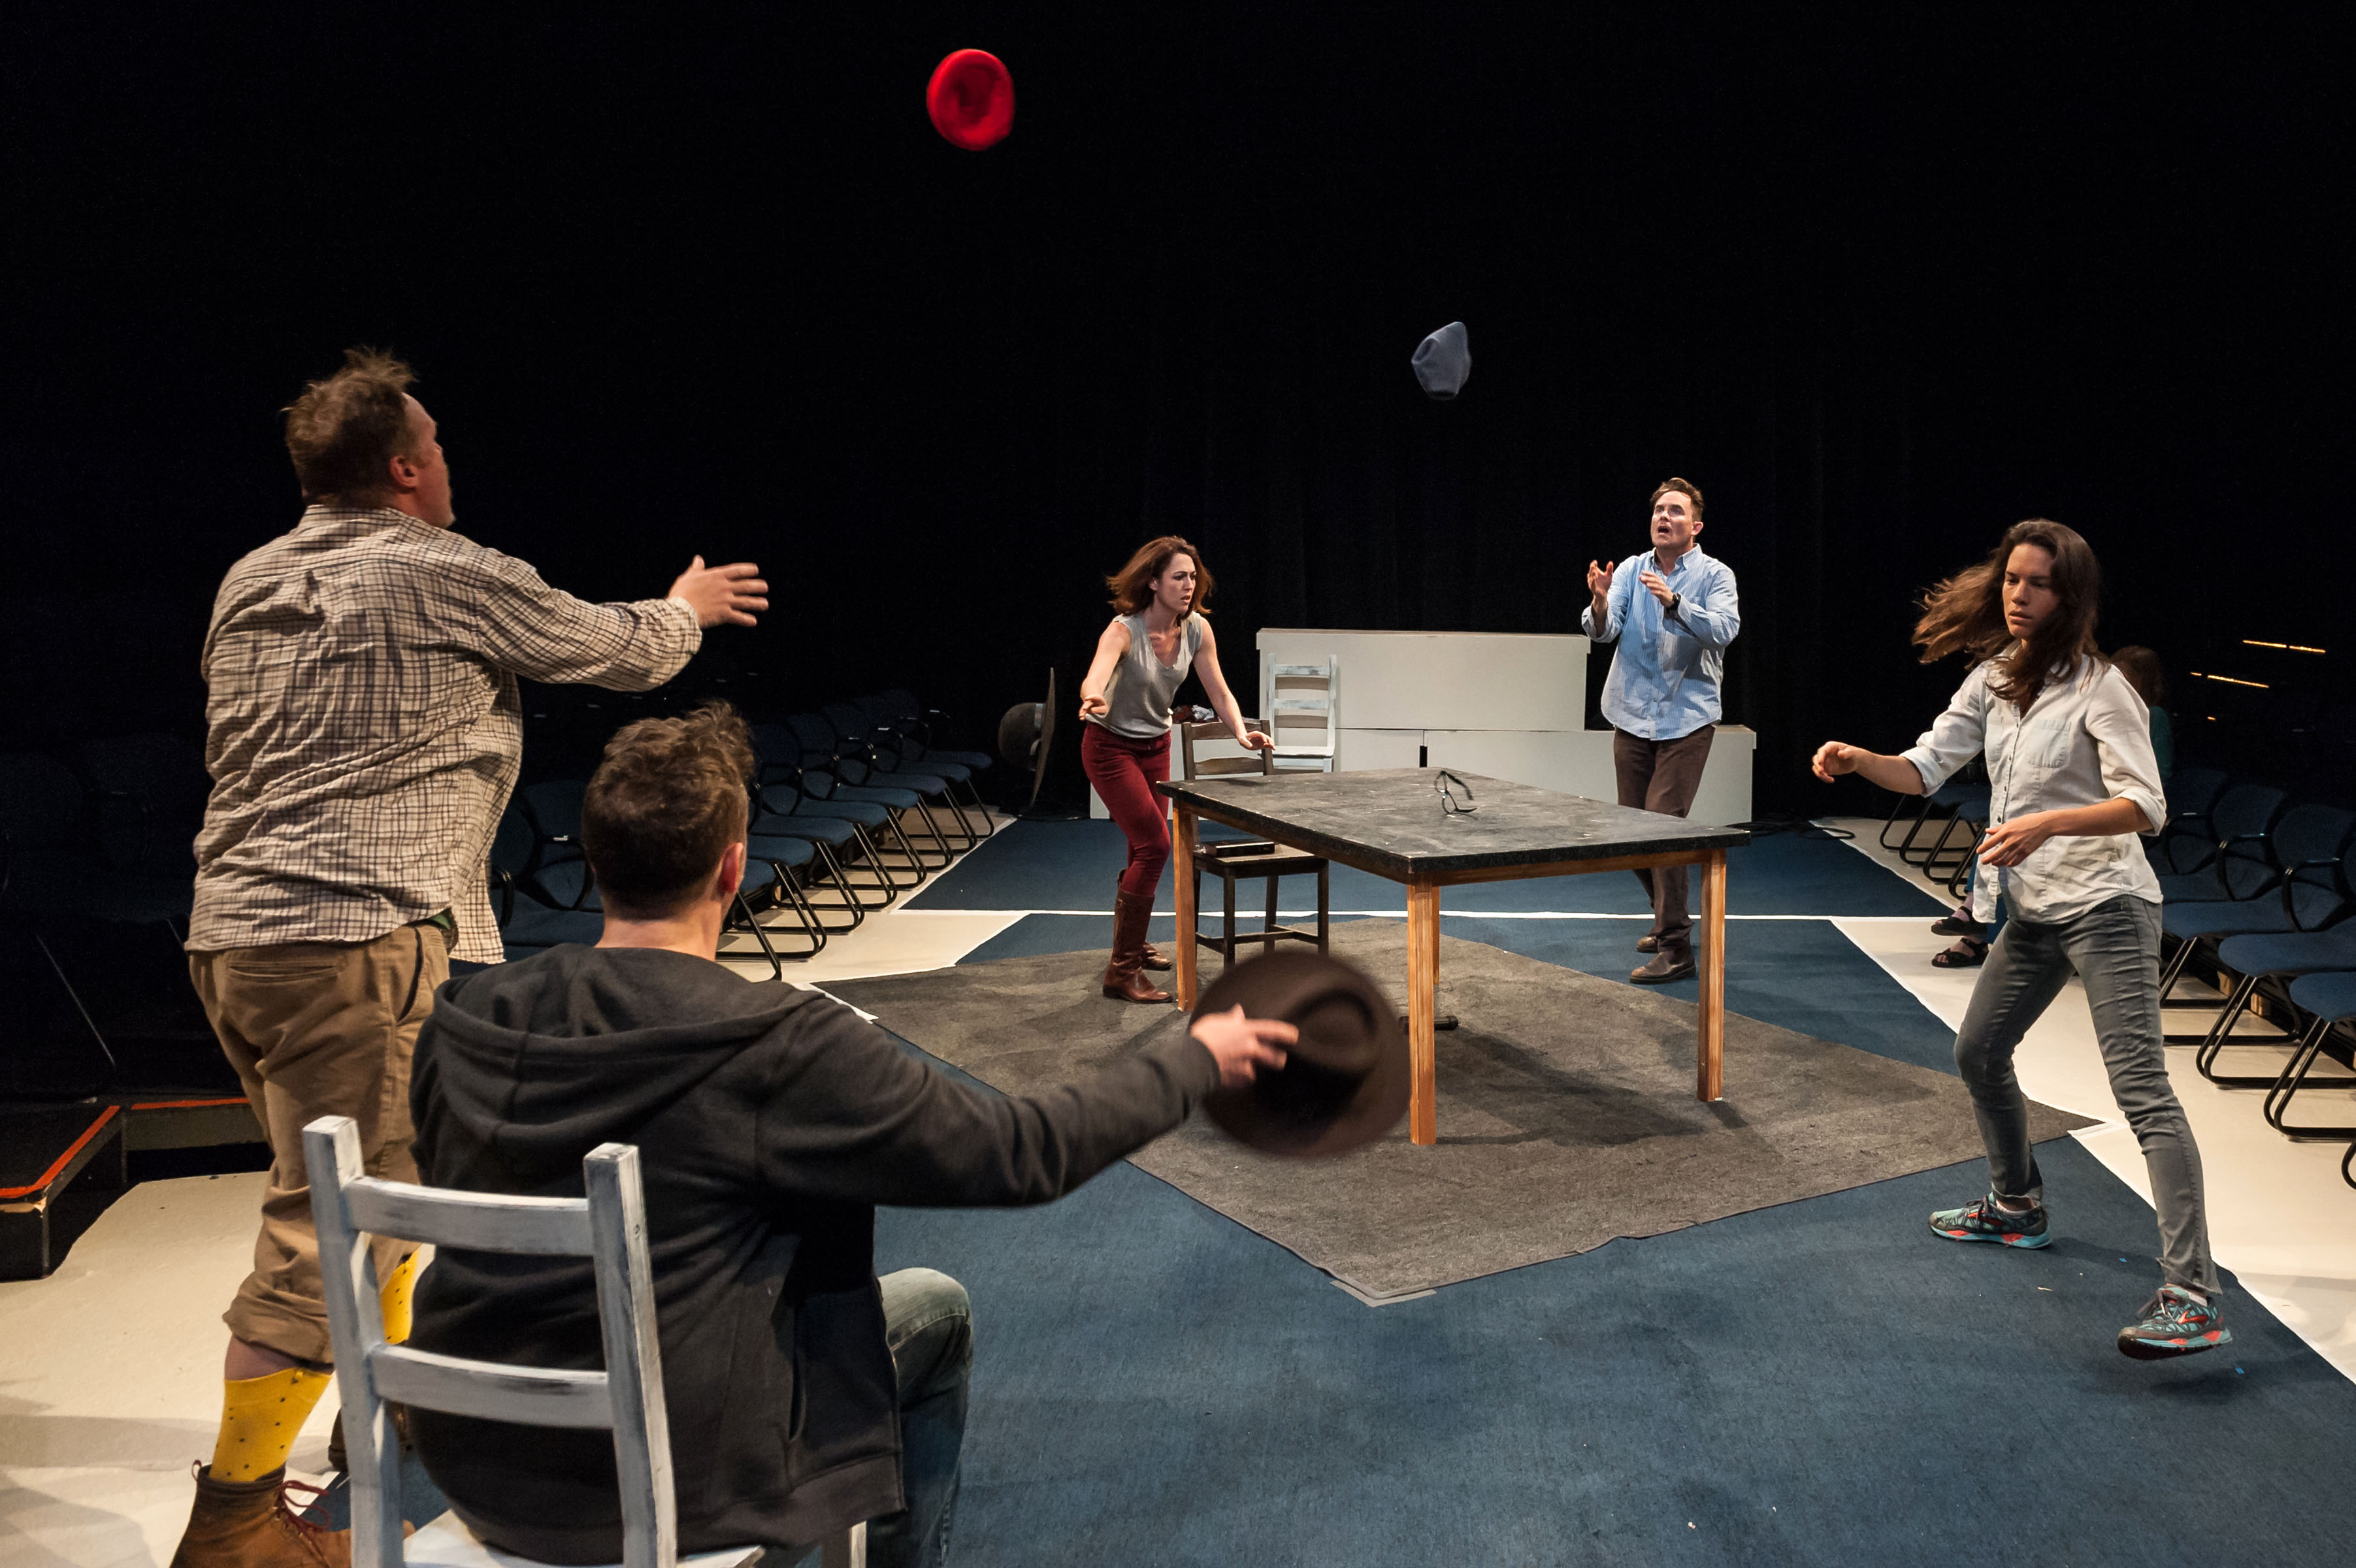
x=666, y=806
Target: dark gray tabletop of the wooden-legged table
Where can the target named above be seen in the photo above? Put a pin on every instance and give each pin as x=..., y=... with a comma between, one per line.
x=1391, y=823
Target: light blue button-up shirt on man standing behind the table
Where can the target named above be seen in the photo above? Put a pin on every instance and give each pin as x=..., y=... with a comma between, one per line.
x=1667, y=670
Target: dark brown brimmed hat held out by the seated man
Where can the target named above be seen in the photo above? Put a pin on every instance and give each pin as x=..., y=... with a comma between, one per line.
x=1344, y=1082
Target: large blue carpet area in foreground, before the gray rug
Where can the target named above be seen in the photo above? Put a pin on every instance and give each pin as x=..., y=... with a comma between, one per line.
x=1820, y=1383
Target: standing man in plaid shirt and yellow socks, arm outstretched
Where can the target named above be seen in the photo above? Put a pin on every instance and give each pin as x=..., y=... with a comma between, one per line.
x=364, y=738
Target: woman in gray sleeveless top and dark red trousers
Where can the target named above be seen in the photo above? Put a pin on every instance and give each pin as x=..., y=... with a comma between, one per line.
x=1125, y=745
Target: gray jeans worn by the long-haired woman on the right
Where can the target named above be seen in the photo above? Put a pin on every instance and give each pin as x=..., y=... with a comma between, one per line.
x=2117, y=950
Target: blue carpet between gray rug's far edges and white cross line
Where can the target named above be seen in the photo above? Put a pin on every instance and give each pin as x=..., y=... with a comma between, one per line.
x=1794, y=974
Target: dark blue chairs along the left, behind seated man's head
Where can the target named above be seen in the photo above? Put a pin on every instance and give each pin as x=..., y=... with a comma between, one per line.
x=849, y=809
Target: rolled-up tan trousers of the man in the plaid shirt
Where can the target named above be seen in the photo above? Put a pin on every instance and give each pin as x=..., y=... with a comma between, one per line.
x=319, y=1030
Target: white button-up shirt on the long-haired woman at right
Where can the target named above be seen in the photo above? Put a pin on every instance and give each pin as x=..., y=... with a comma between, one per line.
x=2082, y=743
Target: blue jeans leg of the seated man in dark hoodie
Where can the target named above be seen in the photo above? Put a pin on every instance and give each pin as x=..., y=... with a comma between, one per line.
x=929, y=1327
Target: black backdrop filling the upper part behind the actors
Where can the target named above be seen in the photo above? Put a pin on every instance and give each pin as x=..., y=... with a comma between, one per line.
x=1879, y=279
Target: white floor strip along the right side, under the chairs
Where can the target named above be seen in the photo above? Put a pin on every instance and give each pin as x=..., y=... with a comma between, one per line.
x=2279, y=1214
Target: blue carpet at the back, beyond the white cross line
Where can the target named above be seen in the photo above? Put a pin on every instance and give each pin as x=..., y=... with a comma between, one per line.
x=1073, y=865
